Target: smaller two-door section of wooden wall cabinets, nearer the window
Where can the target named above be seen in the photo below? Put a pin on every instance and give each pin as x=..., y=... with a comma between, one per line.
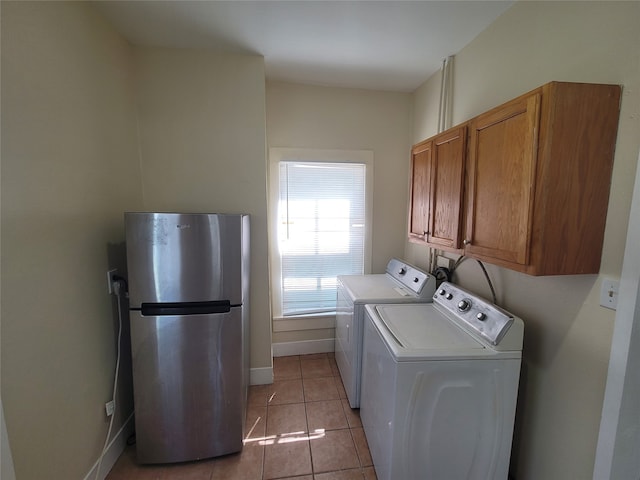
x=437, y=180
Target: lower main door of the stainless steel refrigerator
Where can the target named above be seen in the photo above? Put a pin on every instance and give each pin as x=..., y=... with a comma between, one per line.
x=189, y=397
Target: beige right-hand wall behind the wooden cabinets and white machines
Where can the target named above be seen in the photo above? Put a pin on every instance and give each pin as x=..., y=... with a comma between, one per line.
x=567, y=333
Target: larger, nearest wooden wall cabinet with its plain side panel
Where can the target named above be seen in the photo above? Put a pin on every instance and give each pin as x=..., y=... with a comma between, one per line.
x=537, y=179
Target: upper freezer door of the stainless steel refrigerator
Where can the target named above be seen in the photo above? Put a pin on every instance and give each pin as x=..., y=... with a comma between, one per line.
x=176, y=257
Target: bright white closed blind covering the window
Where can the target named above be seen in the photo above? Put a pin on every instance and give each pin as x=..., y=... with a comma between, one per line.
x=321, y=231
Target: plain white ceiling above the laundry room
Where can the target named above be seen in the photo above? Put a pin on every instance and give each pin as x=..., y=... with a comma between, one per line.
x=380, y=45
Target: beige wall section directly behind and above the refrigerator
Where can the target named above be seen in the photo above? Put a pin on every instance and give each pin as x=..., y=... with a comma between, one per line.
x=202, y=141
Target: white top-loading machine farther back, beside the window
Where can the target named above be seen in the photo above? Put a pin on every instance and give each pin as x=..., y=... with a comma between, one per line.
x=401, y=283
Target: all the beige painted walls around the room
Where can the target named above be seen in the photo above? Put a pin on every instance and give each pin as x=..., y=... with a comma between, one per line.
x=71, y=164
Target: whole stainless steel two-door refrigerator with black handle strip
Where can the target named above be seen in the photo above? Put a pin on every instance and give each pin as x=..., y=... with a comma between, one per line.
x=189, y=309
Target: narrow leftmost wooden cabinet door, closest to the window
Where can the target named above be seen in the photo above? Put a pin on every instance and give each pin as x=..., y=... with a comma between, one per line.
x=419, y=198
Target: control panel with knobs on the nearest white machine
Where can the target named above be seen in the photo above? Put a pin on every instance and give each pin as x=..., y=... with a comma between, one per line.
x=473, y=313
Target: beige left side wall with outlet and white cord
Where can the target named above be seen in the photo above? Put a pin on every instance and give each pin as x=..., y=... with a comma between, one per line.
x=69, y=170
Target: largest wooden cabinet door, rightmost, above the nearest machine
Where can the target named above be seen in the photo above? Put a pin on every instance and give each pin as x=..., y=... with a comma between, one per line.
x=502, y=163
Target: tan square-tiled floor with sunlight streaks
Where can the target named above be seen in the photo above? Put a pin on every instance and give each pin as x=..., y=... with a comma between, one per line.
x=300, y=427
